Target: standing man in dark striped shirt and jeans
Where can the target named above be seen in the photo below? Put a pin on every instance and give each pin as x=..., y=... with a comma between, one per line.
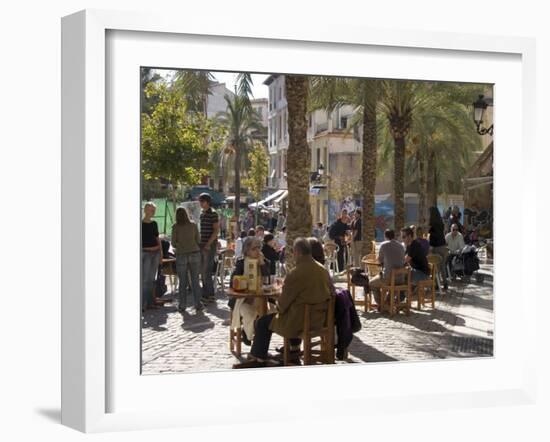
x=209, y=225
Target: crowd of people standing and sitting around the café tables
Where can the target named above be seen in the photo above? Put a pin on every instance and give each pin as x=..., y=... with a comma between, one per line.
x=195, y=249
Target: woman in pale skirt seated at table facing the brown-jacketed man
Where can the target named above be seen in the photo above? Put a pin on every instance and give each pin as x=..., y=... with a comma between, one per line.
x=244, y=309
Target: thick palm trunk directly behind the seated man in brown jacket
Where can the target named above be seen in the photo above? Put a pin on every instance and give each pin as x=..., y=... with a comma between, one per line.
x=299, y=213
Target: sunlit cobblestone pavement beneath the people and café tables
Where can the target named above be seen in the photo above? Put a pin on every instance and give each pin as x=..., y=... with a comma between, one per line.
x=460, y=326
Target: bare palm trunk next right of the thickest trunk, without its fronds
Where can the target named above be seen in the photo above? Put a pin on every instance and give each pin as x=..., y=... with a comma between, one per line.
x=368, y=172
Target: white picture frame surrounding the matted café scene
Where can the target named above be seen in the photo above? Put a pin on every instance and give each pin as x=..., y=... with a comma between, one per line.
x=86, y=351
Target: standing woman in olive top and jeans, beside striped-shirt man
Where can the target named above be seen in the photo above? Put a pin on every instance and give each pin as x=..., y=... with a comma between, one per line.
x=186, y=240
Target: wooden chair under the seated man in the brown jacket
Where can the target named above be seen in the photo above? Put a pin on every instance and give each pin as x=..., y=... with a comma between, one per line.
x=325, y=353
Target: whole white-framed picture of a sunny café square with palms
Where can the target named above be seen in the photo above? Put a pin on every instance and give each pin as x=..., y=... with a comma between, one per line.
x=178, y=139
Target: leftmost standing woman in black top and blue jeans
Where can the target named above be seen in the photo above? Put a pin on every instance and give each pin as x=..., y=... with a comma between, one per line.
x=151, y=255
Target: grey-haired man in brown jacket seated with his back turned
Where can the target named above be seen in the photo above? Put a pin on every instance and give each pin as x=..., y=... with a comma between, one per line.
x=307, y=283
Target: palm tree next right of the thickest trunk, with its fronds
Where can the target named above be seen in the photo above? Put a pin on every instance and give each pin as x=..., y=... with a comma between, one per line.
x=330, y=92
